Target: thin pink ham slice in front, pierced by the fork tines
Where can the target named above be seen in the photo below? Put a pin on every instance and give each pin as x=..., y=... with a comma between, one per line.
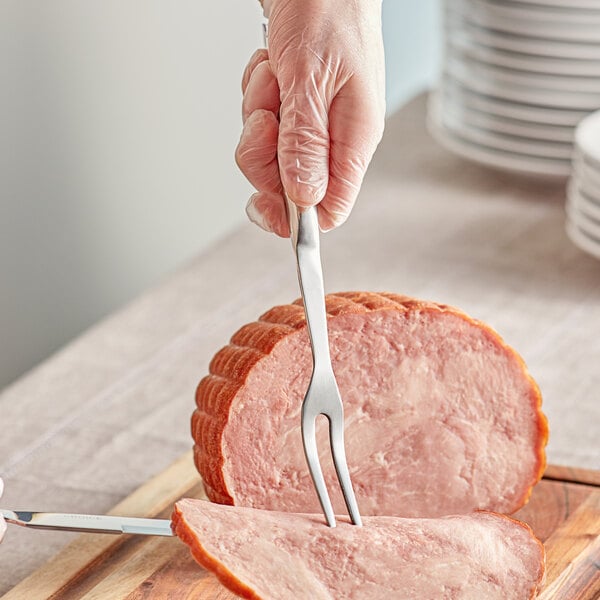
x=267, y=554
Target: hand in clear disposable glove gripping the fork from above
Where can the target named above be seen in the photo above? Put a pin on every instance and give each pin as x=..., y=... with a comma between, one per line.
x=313, y=109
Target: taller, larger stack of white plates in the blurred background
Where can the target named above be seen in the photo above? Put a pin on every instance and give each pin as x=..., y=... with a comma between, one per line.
x=518, y=76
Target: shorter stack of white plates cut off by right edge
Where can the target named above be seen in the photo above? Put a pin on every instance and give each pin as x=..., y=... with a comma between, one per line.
x=583, y=196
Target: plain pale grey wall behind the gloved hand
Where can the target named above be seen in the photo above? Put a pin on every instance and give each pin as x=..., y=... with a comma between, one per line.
x=118, y=122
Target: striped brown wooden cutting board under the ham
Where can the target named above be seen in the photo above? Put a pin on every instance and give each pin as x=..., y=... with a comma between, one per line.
x=564, y=512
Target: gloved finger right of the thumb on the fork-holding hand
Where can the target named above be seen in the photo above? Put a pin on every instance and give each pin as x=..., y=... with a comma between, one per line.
x=355, y=128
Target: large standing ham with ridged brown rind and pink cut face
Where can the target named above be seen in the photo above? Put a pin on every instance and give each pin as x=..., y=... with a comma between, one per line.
x=441, y=415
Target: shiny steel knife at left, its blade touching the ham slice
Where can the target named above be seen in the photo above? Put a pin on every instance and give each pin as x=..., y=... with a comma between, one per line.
x=88, y=523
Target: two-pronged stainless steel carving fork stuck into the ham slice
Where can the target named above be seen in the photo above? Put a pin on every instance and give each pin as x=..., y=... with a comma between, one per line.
x=323, y=396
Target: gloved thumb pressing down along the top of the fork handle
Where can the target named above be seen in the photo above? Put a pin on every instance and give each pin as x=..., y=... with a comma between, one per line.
x=303, y=148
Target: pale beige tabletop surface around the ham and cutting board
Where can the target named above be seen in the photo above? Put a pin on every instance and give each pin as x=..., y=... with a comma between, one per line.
x=105, y=414
